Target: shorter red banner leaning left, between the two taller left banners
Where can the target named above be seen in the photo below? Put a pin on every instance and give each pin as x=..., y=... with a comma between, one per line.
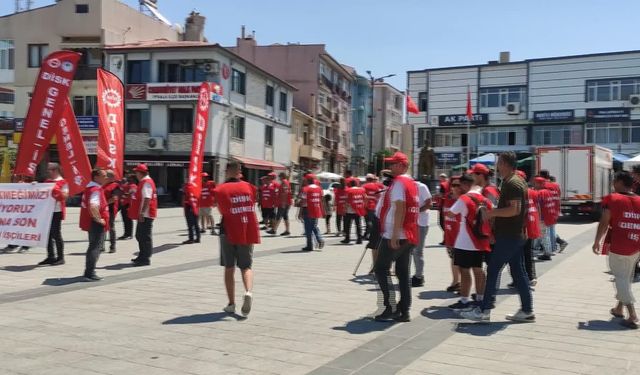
x=73, y=155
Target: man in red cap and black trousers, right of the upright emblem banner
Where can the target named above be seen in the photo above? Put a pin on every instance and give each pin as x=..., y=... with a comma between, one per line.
x=146, y=210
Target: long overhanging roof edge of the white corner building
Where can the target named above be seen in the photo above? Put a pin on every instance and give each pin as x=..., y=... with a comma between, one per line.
x=166, y=44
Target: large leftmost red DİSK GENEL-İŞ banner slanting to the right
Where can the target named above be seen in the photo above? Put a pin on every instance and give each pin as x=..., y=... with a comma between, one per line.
x=49, y=95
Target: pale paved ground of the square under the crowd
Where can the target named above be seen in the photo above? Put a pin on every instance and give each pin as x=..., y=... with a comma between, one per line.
x=310, y=315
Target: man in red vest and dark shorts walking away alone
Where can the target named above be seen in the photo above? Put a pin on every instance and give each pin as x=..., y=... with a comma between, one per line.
x=238, y=234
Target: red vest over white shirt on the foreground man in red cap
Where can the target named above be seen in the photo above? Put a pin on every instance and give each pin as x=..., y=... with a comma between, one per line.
x=410, y=223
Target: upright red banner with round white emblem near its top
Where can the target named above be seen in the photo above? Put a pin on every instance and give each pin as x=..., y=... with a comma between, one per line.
x=111, y=123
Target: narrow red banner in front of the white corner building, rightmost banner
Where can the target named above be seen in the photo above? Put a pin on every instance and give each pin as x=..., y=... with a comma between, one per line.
x=199, y=134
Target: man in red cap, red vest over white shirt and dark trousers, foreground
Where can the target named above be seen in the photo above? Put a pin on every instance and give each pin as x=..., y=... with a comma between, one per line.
x=399, y=224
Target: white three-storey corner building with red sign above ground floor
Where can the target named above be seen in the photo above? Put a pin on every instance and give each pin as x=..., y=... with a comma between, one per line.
x=249, y=120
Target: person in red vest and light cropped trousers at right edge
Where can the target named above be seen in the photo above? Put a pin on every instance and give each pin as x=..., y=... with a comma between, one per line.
x=620, y=222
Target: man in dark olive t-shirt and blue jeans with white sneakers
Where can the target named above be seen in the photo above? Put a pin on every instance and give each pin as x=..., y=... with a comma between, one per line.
x=510, y=217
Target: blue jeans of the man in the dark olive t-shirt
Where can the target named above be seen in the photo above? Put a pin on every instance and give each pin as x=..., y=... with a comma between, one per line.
x=507, y=251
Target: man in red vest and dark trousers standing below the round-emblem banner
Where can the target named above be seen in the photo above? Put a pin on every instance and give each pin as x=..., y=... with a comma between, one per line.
x=94, y=218
